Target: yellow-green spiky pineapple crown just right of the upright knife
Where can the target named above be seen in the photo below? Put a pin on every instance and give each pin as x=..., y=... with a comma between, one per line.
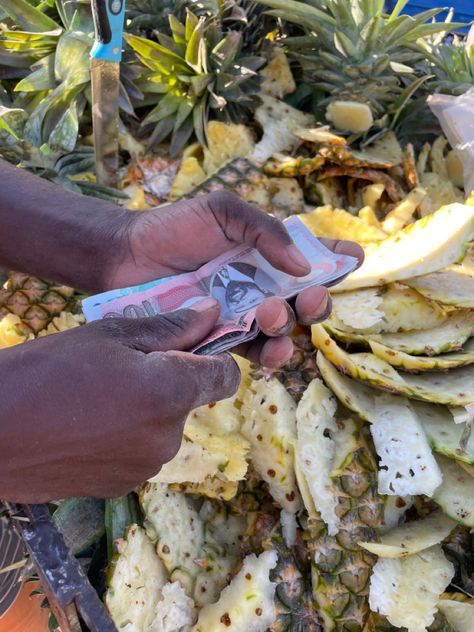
x=200, y=71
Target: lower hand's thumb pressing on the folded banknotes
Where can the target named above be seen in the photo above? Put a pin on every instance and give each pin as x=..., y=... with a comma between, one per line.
x=179, y=330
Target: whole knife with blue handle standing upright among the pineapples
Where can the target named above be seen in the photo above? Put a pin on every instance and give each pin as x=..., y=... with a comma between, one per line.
x=106, y=54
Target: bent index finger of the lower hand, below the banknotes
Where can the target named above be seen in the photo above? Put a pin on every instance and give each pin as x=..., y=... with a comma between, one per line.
x=196, y=380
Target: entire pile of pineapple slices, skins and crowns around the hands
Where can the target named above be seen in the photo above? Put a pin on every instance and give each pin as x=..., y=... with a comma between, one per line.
x=337, y=493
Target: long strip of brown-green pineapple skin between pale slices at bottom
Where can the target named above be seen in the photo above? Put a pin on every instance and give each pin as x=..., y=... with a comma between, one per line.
x=340, y=568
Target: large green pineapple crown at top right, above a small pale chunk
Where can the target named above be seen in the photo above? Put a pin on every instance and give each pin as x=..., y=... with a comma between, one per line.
x=354, y=52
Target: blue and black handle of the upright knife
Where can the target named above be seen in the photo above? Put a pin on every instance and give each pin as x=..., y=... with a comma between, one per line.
x=108, y=24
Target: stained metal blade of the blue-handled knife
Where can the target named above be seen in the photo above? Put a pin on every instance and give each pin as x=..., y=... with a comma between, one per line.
x=105, y=76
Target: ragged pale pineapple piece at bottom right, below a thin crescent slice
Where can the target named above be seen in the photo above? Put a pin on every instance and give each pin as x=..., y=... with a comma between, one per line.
x=407, y=590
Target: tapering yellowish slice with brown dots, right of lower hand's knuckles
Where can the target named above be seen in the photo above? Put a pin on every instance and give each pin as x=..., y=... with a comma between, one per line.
x=269, y=415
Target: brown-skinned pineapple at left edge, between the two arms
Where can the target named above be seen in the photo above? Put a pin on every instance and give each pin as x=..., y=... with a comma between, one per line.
x=35, y=302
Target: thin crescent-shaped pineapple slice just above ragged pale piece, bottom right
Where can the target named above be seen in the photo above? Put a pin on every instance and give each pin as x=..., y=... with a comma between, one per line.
x=412, y=537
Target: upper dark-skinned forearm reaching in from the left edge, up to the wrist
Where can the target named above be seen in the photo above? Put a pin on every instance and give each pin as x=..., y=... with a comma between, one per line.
x=55, y=234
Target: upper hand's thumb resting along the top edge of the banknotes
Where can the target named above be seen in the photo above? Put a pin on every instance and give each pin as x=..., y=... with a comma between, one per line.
x=244, y=223
